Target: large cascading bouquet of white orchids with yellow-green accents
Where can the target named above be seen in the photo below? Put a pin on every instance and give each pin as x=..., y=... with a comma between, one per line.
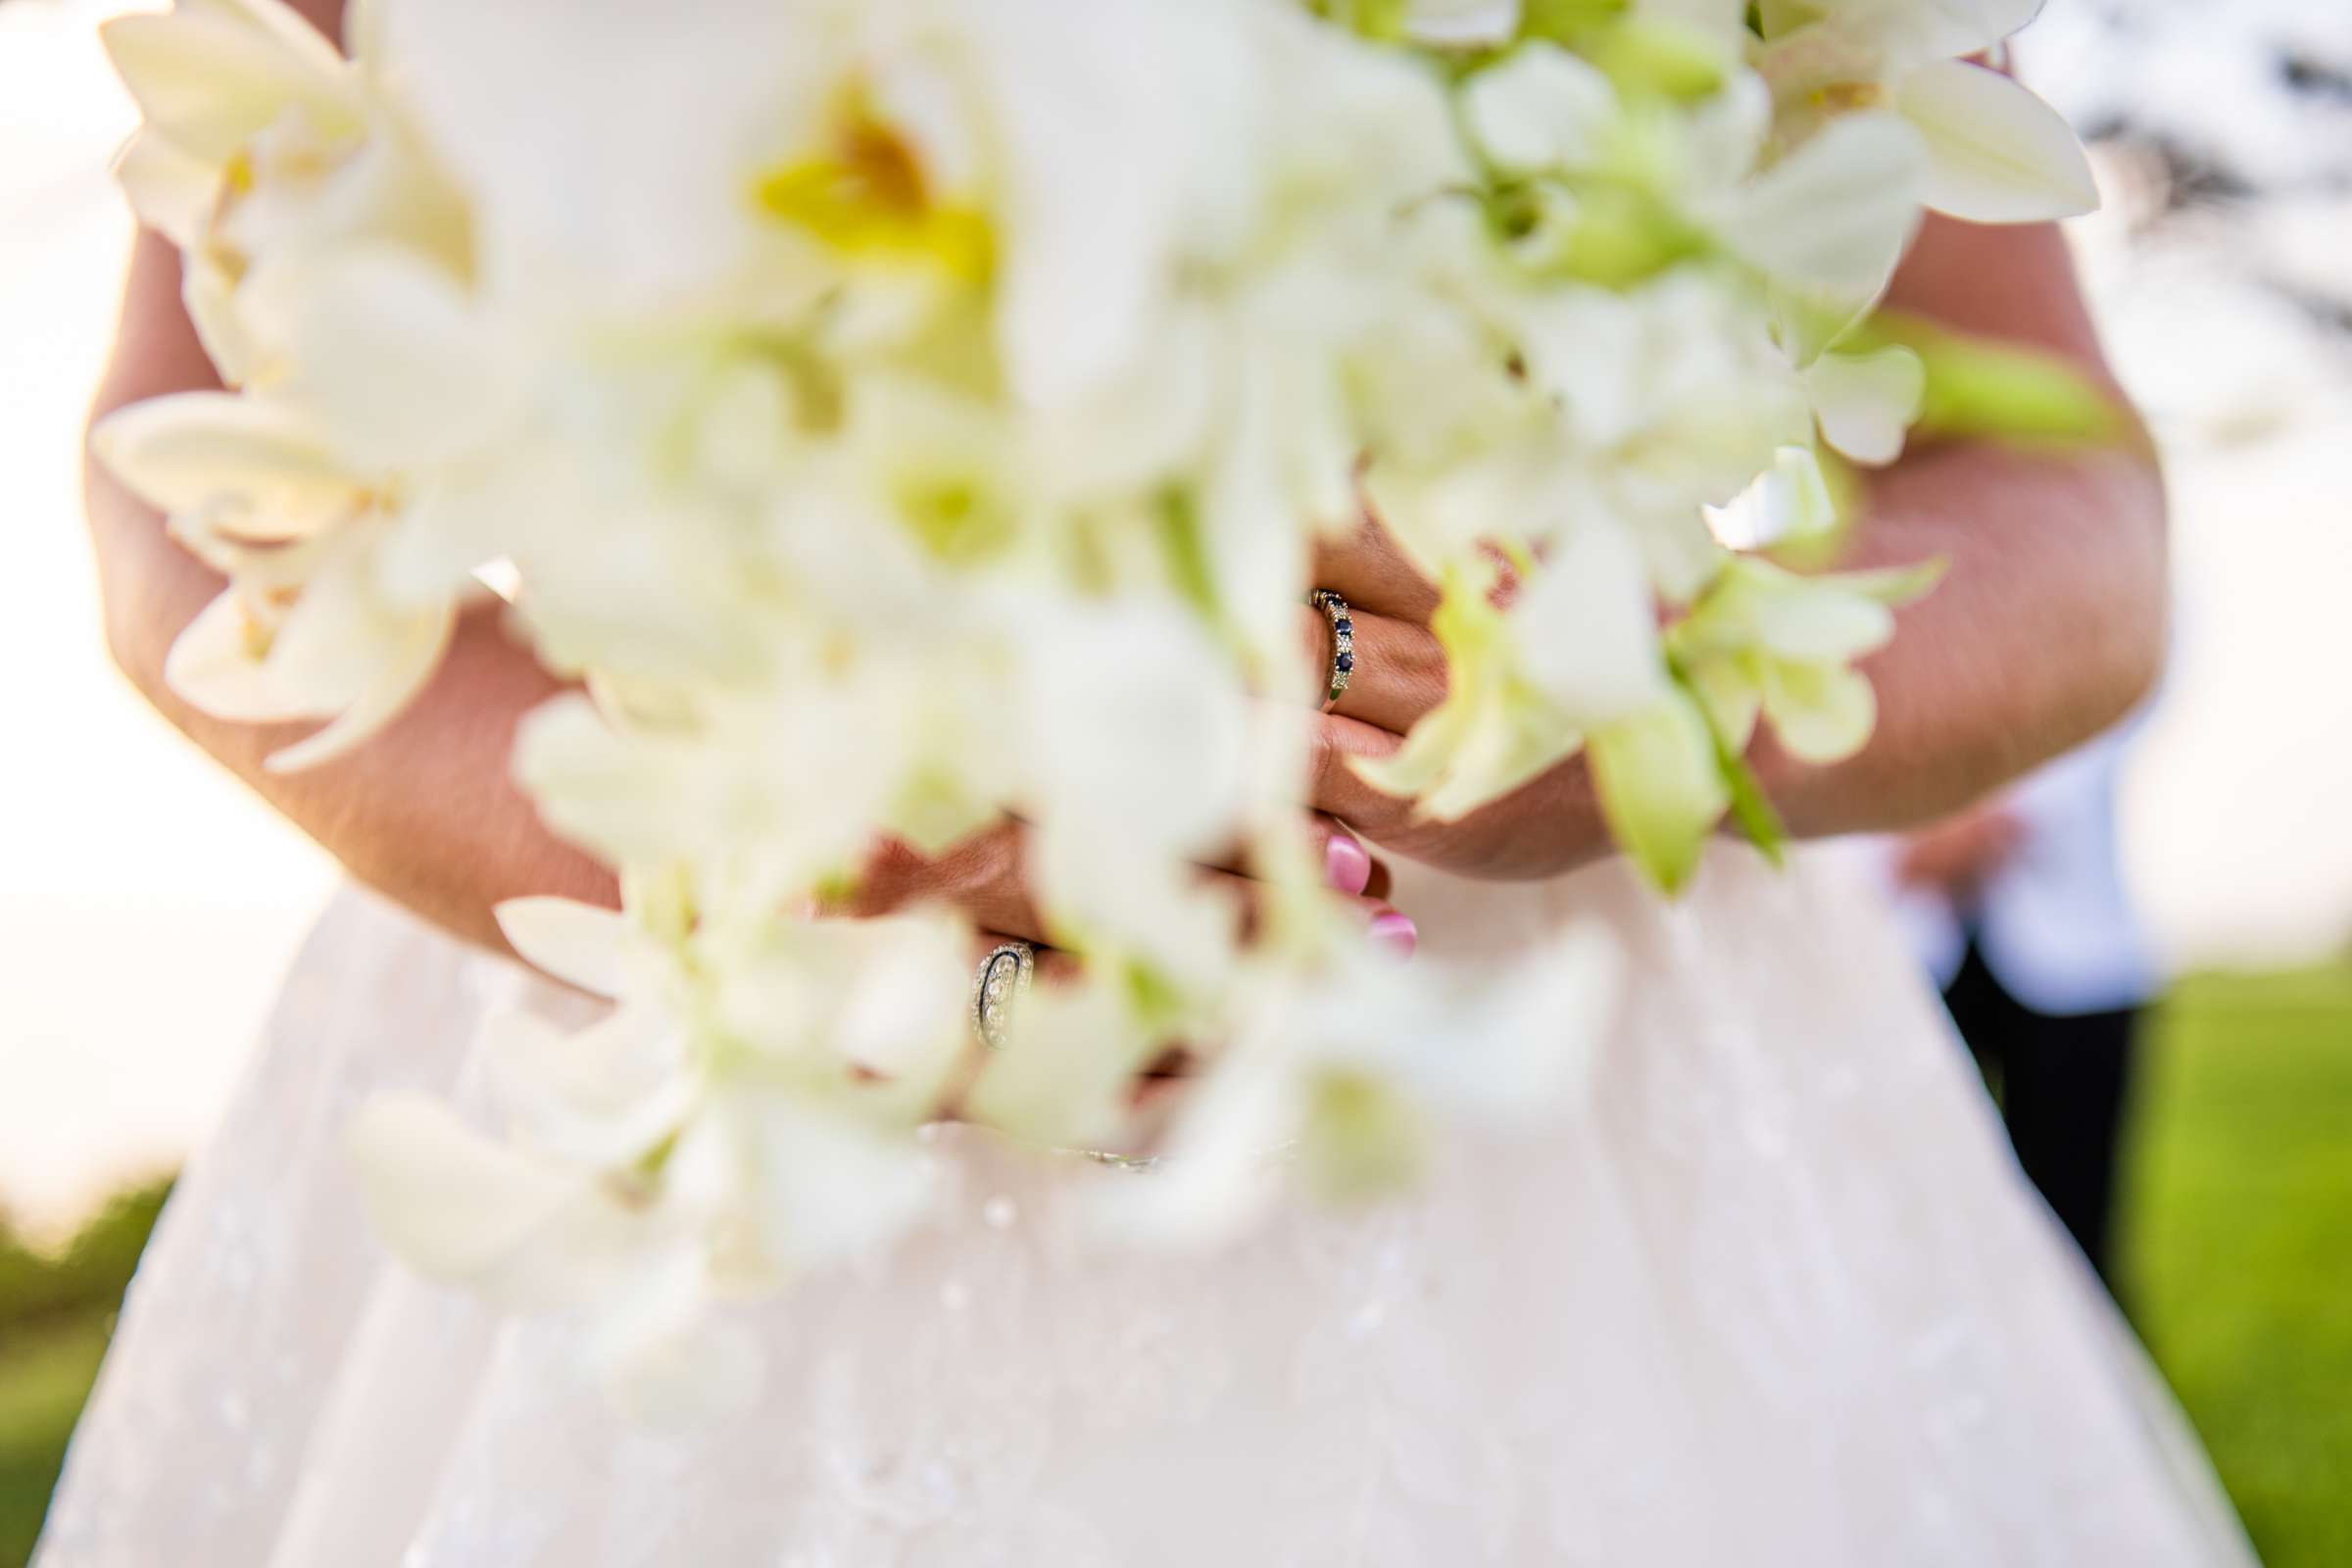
x=904, y=415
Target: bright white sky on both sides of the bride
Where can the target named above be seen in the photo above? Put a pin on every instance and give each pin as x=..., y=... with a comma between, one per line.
x=149, y=906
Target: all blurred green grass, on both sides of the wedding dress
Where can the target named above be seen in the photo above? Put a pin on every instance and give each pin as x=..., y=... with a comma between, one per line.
x=2238, y=1266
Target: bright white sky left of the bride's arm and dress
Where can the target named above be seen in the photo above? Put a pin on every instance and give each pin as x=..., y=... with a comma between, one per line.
x=147, y=904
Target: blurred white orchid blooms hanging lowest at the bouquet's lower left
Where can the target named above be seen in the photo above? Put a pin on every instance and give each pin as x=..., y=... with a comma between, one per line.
x=686, y=1148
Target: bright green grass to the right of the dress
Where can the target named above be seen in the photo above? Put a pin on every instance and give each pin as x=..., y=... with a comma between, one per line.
x=2238, y=1245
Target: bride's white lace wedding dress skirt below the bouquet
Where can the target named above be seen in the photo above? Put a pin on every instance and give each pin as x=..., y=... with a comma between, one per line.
x=1775, y=1294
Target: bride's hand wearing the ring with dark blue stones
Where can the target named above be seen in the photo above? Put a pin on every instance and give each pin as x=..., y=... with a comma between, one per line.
x=1401, y=674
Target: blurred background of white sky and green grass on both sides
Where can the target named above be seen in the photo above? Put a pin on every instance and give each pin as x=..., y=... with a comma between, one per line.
x=149, y=906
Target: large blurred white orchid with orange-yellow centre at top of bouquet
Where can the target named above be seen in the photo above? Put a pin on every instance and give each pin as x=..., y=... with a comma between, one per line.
x=890, y=161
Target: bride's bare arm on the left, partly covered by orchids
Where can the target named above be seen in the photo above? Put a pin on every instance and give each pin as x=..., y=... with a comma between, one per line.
x=427, y=812
